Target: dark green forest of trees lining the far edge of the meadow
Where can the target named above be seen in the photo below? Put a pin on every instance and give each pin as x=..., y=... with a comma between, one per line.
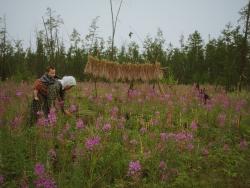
x=223, y=61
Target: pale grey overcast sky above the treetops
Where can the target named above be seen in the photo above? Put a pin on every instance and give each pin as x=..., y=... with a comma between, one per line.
x=142, y=17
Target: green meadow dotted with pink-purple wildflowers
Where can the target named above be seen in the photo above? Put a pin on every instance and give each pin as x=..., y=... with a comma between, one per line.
x=140, y=138
